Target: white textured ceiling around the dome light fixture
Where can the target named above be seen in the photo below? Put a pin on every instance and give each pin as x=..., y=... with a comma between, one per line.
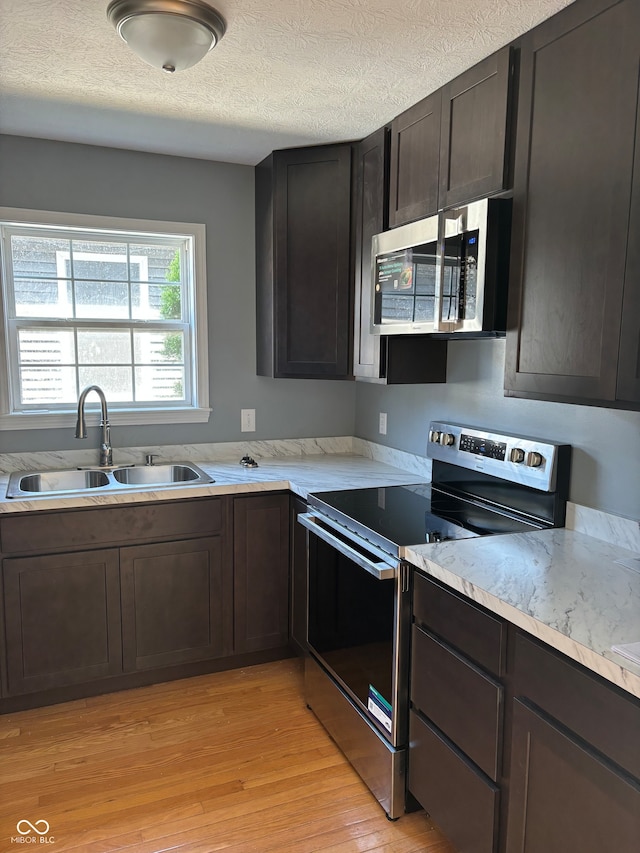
x=287, y=72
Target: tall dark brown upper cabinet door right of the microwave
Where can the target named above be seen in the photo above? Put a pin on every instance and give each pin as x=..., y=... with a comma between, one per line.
x=572, y=188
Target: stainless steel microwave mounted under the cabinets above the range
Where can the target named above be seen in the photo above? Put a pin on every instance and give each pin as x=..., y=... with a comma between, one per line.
x=446, y=274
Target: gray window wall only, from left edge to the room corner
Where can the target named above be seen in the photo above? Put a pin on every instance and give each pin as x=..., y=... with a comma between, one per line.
x=44, y=175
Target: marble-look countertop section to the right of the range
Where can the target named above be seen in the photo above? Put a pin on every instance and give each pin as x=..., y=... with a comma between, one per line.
x=565, y=587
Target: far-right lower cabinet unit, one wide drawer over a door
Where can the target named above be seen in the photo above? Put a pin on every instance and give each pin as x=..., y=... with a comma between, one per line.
x=575, y=760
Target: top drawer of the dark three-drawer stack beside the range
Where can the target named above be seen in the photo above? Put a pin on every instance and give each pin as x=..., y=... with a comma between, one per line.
x=479, y=635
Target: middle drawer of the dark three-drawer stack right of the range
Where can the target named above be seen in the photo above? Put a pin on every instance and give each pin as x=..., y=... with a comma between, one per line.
x=463, y=702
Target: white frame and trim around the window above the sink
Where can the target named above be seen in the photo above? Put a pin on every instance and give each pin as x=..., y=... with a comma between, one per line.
x=197, y=362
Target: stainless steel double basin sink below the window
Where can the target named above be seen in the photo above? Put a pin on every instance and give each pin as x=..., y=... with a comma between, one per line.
x=40, y=483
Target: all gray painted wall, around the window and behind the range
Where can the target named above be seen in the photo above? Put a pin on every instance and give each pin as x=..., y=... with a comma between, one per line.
x=85, y=179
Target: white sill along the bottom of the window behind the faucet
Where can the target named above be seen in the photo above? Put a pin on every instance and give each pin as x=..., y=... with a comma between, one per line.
x=141, y=417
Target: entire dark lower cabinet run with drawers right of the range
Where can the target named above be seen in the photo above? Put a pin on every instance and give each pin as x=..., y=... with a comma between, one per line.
x=513, y=746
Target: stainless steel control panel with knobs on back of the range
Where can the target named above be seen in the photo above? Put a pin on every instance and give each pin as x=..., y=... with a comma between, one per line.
x=521, y=459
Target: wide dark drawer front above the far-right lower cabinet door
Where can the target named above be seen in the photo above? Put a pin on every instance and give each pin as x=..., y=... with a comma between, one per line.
x=600, y=714
